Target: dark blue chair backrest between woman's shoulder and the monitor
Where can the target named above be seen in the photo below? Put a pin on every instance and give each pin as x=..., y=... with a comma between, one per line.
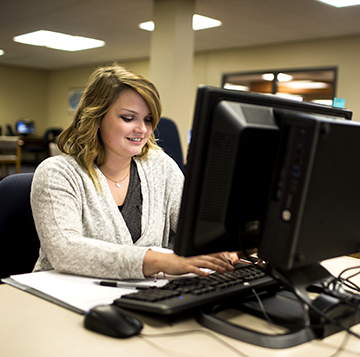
x=168, y=138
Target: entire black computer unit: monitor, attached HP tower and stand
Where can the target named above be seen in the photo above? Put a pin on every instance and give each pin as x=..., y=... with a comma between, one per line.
x=281, y=176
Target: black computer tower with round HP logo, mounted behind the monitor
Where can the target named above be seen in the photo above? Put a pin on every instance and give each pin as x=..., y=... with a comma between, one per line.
x=313, y=211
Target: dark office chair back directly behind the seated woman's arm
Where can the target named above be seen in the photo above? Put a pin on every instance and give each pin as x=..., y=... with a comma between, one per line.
x=19, y=242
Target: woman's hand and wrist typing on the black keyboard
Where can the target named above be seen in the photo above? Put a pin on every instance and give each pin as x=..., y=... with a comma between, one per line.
x=155, y=262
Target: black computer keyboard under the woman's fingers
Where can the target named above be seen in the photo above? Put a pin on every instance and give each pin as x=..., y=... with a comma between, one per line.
x=189, y=292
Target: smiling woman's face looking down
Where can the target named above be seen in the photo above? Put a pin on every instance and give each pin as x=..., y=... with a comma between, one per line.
x=126, y=127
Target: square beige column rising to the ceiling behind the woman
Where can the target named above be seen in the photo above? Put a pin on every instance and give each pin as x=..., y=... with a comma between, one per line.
x=171, y=61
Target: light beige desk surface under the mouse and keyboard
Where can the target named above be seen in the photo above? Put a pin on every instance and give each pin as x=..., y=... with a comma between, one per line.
x=30, y=326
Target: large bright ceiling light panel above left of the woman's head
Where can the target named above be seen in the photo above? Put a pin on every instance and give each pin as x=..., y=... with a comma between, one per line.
x=58, y=41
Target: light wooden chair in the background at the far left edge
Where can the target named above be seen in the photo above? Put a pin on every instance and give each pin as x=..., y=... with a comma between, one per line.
x=10, y=153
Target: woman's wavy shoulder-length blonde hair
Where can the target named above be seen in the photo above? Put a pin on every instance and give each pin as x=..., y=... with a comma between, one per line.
x=81, y=139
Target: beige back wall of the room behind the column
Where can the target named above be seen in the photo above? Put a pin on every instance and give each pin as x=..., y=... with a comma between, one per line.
x=43, y=96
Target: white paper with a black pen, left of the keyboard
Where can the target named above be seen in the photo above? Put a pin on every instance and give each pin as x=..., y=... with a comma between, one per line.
x=80, y=292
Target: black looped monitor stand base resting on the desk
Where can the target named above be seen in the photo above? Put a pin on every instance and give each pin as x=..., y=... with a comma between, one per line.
x=284, y=309
